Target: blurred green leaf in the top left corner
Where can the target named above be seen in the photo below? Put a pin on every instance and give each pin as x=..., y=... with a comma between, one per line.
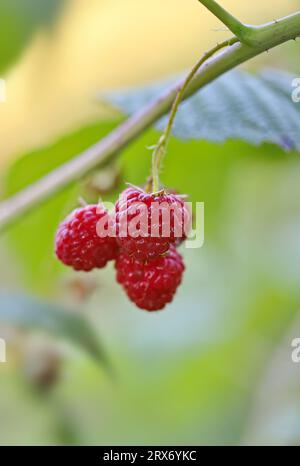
x=18, y=21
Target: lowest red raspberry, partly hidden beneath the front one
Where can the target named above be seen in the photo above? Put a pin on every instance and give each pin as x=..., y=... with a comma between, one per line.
x=150, y=285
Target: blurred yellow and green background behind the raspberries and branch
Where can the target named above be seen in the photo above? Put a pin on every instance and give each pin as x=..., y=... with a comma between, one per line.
x=214, y=367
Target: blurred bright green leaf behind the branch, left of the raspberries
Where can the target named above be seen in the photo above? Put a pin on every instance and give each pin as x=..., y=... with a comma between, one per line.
x=31, y=238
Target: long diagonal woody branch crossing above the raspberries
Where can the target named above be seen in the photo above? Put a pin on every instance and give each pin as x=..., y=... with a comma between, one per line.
x=268, y=36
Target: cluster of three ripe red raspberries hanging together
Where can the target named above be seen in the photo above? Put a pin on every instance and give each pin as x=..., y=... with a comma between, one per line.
x=147, y=229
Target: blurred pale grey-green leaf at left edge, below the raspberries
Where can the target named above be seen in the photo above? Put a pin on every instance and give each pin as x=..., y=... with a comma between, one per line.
x=32, y=314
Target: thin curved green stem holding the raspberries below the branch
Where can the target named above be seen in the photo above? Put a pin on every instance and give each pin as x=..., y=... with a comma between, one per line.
x=161, y=146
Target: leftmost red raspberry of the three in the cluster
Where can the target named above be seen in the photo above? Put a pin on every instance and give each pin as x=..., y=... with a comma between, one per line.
x=77, y=243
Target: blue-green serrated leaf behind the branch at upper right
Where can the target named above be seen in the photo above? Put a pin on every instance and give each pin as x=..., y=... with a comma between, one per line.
x=239, y=105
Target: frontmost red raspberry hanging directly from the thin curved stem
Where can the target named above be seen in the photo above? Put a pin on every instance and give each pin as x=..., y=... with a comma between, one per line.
x=137, y=213
